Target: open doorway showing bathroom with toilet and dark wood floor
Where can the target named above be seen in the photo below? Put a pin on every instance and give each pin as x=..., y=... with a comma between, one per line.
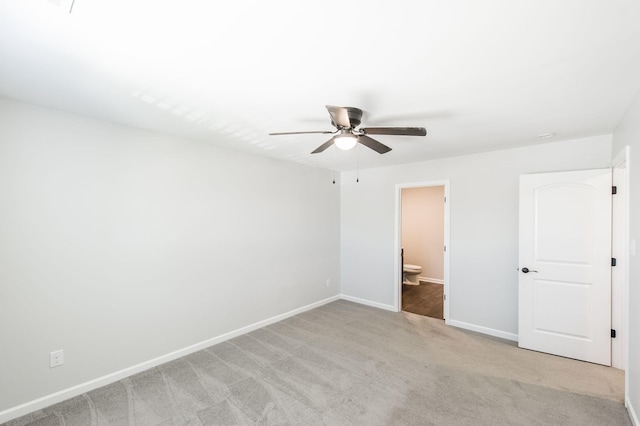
x=423, y=233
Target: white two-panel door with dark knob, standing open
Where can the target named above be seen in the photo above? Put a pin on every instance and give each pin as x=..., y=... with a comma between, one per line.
x=565, y=264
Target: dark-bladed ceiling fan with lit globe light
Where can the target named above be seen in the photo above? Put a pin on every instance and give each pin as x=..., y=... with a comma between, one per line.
x=346, y=136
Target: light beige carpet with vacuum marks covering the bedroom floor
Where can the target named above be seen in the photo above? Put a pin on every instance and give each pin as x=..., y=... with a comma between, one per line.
x=347, y=364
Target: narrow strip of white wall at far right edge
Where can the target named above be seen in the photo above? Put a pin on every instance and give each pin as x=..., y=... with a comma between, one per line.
x=628, y=133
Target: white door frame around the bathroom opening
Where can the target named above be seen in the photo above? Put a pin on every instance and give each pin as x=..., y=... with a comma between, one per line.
x=397, y=299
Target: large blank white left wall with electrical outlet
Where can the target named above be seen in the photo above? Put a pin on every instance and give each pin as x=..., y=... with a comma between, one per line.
x=121, y=245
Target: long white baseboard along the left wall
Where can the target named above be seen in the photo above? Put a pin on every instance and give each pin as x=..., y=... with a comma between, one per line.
x=54, y=398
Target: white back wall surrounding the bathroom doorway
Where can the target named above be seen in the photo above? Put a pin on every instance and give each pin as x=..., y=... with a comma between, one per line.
x=484, y=226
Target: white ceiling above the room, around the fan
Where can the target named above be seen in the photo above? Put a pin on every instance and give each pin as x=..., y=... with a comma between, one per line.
x=479, y=75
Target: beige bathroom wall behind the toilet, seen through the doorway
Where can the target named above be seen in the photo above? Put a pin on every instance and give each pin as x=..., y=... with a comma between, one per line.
x=423, y=230
